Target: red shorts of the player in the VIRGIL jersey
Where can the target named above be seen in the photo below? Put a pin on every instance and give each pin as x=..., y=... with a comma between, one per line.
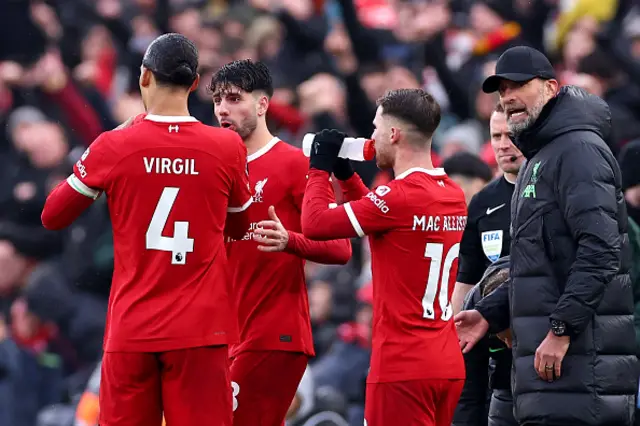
x=191, y=386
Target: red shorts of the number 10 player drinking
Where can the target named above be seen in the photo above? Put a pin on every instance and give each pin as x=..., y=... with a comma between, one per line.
x=428, y=402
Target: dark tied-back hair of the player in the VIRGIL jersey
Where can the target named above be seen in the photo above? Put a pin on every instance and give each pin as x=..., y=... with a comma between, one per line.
x=173, y=60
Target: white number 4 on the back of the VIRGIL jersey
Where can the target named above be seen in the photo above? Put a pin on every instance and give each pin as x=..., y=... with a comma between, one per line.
x=180, y=244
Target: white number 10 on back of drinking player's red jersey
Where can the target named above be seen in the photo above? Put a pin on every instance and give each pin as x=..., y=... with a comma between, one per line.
x=438, y=275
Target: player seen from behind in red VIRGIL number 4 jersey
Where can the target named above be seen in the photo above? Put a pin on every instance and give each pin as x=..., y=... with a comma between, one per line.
x=174, y=186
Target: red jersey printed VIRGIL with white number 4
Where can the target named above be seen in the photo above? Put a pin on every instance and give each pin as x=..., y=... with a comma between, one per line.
x=170, y=182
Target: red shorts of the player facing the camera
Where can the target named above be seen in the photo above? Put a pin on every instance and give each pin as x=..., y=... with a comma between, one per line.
x=265, y=383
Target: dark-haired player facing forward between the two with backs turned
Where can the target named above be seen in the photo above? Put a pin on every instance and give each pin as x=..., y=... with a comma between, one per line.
x=268, y=262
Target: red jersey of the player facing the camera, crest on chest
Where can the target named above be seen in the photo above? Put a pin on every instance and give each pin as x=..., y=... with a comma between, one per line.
x=270, y=289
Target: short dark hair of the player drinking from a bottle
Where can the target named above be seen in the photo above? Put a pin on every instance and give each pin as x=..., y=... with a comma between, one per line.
x=414, y=106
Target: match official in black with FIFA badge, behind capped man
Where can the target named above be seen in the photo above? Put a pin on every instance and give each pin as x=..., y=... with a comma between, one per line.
x=486, y=239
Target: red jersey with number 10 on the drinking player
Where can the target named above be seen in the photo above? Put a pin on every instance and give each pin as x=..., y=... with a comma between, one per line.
x=415, y=225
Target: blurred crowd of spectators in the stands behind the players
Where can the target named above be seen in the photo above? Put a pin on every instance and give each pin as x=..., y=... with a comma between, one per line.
x=69, y=69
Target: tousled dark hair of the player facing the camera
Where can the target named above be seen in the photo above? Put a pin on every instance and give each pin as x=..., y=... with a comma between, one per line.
x=245, y=74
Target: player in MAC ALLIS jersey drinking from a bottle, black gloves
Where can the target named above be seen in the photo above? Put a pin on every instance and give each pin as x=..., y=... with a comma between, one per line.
x=415, y=225
